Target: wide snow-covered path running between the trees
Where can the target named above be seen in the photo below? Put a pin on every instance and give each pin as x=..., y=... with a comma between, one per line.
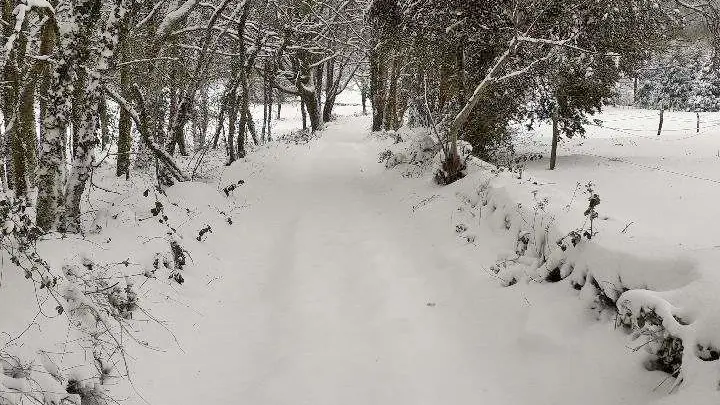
x=334, y=291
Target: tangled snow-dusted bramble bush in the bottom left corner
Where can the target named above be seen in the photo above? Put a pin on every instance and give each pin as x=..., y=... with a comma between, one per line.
x=97, y=300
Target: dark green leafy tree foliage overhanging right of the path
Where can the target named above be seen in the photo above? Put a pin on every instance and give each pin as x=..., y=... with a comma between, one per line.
x=579, y=52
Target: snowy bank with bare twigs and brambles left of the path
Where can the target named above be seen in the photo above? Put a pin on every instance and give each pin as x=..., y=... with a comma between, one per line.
x=75, y=310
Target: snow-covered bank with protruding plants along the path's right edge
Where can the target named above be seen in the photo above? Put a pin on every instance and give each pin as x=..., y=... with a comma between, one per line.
x=665, y=296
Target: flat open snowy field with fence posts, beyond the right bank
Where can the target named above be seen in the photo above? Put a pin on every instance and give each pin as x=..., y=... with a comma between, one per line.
x=666, y=185
